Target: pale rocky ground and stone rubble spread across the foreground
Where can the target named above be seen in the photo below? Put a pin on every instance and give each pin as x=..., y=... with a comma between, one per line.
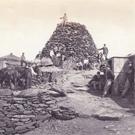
x=95, y=115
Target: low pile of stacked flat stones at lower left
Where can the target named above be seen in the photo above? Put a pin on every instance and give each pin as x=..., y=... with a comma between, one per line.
x=22, y=114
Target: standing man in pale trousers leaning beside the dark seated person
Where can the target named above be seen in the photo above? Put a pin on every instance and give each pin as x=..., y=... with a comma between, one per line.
x=109, y=77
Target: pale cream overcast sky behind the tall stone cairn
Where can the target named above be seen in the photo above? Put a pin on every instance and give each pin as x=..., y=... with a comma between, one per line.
x=26, y=25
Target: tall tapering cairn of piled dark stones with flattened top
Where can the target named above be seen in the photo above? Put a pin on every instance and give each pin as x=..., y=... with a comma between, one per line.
x=71, y=39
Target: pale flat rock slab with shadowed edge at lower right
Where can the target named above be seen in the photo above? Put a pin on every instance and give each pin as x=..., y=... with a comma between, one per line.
x=108, y=114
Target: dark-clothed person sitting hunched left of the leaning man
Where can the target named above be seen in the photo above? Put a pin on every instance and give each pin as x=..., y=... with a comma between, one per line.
x=95, y=82
